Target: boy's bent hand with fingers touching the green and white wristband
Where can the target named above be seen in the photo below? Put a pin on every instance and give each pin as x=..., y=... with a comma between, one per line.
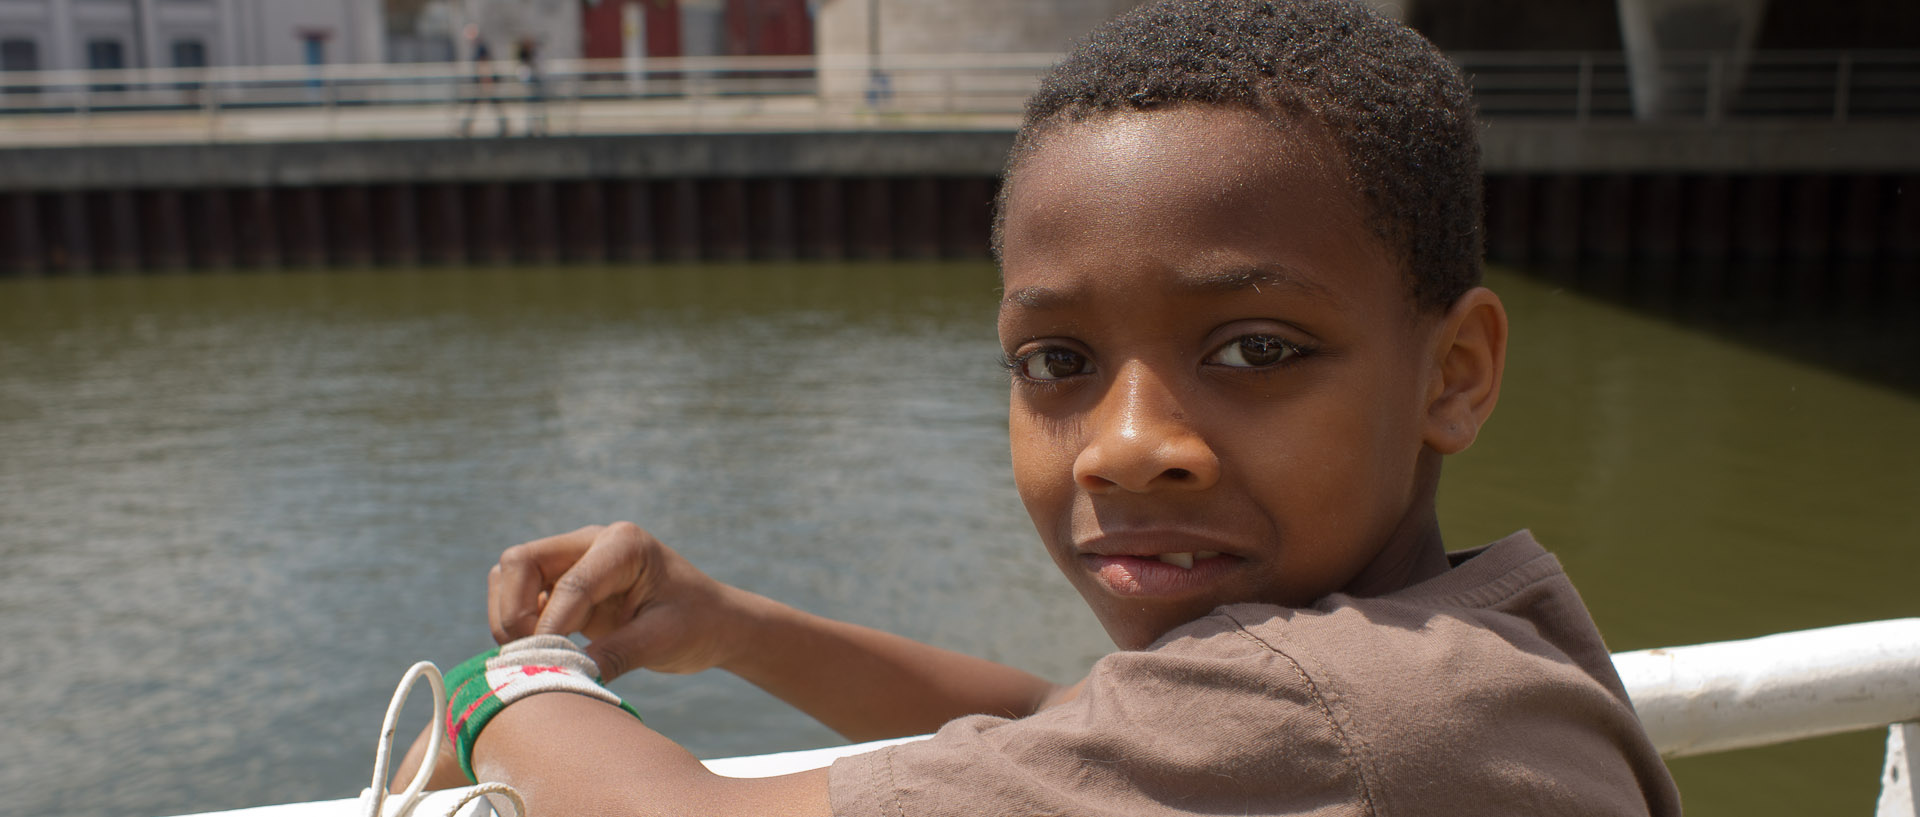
x=638, y=601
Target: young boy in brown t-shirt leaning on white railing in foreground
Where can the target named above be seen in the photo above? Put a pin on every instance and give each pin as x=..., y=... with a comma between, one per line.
x=1241, y=246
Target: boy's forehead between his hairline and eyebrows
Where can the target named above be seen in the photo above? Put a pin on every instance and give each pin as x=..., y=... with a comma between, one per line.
x=1189, y=200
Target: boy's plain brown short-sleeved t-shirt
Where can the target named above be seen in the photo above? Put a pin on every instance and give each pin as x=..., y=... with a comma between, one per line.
x=1483, y=691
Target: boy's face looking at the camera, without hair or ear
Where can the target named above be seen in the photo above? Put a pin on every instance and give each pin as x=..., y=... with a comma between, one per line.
x=1220, y=381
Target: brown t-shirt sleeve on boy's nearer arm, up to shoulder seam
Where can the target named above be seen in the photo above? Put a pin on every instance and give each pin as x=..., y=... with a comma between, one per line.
x=1211, y=705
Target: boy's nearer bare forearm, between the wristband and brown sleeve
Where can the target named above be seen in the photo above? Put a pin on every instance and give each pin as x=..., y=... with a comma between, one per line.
x=571, y=755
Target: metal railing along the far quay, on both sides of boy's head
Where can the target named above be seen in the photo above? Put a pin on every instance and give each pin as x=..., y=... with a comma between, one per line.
x=688, y=93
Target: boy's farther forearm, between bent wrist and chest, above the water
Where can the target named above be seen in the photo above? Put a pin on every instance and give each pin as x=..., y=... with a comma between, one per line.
x=871, y=686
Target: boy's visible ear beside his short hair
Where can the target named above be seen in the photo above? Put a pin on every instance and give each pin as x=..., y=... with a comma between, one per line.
x=1470, y=358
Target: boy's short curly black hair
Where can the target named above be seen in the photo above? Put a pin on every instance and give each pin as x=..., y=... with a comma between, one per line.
x=1399, y=110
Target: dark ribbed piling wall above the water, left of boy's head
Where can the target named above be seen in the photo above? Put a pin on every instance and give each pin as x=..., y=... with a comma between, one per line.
x=496, y=223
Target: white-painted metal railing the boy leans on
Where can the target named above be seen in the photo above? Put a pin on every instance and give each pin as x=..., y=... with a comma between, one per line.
x=1692, y=699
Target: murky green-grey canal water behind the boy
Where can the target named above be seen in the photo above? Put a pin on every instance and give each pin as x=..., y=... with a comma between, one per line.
x=237, y=507
